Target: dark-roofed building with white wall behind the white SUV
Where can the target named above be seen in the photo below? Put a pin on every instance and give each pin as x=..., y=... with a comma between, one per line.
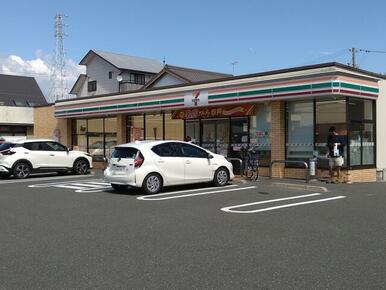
x=18, y=96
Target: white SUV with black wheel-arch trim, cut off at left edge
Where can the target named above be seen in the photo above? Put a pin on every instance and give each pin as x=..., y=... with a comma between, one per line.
x=27, y=156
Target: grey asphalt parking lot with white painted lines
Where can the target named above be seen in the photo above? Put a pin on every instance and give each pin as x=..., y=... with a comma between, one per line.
x=76, y=232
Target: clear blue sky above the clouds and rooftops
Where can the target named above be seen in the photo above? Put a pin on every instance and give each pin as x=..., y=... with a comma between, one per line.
x=260, y=35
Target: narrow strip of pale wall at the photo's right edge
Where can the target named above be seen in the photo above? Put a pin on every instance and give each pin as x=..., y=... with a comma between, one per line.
x=381, y=132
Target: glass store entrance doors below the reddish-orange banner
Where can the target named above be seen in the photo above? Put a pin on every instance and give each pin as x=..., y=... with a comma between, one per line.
x=215, y=135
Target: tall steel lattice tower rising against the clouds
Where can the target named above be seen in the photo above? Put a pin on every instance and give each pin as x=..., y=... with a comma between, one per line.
x=58, y=86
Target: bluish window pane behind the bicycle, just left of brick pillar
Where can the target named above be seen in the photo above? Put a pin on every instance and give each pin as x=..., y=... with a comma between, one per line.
x=260, y=133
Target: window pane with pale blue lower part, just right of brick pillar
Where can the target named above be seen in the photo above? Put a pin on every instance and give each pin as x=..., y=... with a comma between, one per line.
x=300, y=130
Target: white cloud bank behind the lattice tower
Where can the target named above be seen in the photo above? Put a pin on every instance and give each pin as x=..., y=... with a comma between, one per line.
x=40, y=67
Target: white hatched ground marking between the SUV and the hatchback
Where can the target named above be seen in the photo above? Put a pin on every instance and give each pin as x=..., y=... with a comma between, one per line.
x=93, y=185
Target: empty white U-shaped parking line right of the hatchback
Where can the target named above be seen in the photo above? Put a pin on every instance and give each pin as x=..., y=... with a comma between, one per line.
x=230, y=209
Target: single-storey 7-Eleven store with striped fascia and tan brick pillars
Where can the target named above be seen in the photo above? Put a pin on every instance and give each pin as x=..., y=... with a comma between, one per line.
x=285, y=113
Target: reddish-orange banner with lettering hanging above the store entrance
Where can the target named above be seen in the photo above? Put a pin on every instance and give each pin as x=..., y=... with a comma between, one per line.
x=214, y=112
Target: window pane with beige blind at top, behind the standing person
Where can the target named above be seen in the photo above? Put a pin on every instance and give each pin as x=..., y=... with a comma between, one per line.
x=329, y=112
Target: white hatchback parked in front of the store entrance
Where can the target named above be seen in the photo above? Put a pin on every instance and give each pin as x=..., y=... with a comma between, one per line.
x=150, y=165
